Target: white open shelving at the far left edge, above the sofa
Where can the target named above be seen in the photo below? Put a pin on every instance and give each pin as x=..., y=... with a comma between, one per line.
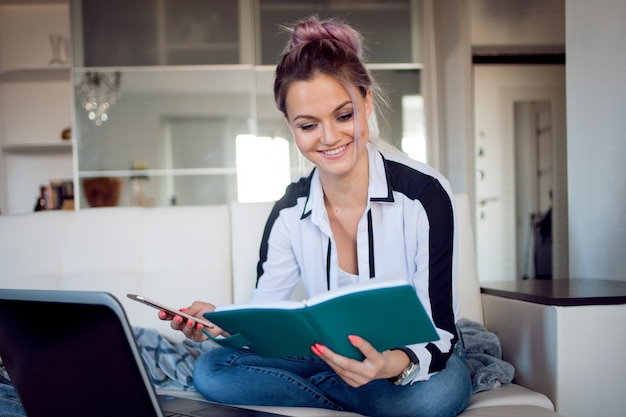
x=35, y=101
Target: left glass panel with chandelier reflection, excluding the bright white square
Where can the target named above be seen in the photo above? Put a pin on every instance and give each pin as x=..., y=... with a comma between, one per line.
x=169, y=135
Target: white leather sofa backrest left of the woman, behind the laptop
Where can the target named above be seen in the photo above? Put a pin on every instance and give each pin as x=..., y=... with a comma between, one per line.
x=172, y=254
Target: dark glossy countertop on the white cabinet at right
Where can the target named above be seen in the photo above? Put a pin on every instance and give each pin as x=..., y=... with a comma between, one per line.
x=560, y=292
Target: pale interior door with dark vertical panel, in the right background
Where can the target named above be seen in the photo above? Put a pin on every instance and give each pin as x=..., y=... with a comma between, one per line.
x=497, y=90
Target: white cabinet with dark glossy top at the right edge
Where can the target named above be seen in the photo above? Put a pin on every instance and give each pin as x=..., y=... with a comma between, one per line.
x=566, y=338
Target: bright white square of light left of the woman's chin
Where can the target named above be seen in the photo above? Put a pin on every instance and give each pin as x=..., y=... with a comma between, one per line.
x=262, y=168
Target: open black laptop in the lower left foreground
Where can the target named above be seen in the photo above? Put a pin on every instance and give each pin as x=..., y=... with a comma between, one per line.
x=73, y=353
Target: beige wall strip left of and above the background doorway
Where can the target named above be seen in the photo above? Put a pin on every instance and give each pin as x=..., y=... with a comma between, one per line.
x=485, y=25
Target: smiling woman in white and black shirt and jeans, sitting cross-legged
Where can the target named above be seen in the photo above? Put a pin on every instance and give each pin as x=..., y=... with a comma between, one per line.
x=361, y=213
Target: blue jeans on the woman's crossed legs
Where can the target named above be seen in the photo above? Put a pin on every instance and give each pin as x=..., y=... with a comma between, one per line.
x=238, y=376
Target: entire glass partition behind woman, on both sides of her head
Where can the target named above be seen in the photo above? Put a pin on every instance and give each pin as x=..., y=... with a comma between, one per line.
x=203, y=135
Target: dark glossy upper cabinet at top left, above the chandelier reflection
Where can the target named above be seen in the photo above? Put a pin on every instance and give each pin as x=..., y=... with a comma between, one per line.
x=161, y=32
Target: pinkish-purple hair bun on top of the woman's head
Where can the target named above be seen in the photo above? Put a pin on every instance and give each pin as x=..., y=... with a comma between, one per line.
x=312, y=29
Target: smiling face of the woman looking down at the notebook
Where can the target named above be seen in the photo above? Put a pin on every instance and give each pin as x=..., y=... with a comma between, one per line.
x=322, y=118
